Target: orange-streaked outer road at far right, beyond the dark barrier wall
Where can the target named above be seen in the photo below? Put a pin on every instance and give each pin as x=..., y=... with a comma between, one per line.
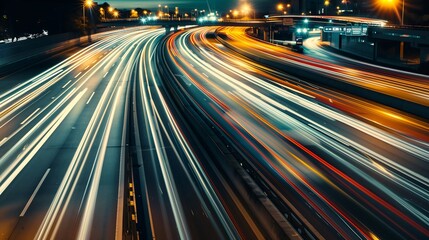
x=402, y=85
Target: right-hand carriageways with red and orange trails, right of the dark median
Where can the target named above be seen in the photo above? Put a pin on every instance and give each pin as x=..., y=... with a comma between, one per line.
x=352, y=167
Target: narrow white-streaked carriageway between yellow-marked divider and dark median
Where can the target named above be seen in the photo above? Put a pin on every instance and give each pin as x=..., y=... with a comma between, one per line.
x=181, y=201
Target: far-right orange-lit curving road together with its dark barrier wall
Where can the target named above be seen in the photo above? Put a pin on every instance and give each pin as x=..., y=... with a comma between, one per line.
x=398, y=89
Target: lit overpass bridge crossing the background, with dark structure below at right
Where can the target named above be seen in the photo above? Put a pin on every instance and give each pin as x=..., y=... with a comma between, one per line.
x=370, y=38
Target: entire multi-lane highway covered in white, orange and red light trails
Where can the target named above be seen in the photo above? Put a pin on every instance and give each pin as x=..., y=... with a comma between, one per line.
x=196, y=134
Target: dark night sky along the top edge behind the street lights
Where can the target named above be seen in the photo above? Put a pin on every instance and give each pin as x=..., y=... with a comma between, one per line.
x=61, y=15
